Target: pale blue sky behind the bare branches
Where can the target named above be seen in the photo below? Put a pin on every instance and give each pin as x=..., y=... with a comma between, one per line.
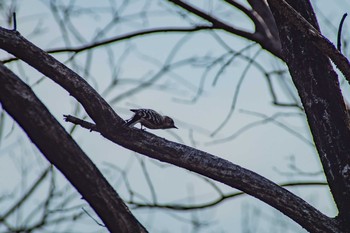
x=266, y=149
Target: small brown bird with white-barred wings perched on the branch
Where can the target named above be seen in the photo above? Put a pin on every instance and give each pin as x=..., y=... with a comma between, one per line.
x=150, y=119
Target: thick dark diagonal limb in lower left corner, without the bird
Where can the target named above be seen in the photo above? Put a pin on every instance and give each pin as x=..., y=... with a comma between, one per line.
x=61, y=150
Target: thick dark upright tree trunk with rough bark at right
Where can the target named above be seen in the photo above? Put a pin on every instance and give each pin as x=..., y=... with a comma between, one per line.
x=319, y=90
